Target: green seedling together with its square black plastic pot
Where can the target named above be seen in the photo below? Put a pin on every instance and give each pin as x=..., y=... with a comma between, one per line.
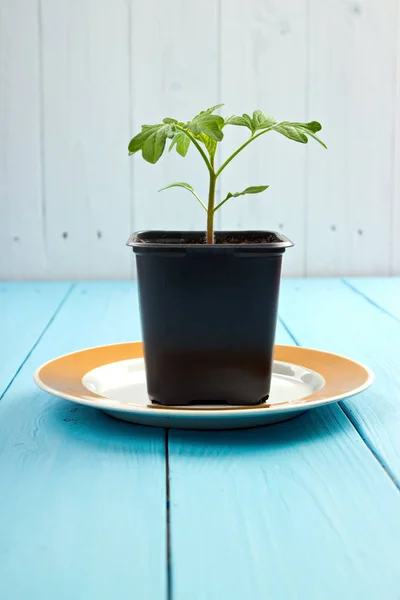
x=208, y=300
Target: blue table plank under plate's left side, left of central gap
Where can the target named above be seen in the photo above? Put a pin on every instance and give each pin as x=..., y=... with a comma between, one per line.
x=82, y=495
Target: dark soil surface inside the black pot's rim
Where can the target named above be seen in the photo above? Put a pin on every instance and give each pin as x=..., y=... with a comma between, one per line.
x=235, y=238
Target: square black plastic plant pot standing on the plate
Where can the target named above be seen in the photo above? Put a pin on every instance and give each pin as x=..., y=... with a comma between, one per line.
x=208, y=315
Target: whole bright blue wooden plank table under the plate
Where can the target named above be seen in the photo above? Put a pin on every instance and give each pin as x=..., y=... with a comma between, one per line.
x=96, y=509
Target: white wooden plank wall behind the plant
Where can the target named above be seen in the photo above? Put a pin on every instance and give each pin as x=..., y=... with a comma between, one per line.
x=79, y=77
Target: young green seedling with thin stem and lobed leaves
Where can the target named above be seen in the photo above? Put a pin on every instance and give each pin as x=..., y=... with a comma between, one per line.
x=205, y=132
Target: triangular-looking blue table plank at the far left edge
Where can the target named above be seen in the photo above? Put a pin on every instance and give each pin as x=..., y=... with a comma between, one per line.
x=26, y=309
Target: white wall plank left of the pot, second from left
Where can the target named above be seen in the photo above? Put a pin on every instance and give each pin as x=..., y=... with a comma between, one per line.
x=86, y=130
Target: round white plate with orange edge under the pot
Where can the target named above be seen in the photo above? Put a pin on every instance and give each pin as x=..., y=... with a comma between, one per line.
x=112, y=378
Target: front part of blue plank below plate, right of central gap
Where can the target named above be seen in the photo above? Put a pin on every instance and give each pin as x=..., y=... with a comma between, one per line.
x=297, y=510
